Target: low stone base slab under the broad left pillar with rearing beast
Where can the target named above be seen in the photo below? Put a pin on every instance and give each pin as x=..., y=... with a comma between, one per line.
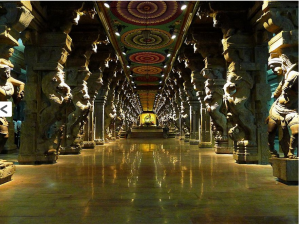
x=37, y=159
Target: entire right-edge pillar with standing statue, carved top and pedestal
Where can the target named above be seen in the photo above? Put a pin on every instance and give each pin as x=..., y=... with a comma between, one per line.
x=281, y=19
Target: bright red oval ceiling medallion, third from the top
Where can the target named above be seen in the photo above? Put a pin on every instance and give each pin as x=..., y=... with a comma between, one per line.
x=147, y=57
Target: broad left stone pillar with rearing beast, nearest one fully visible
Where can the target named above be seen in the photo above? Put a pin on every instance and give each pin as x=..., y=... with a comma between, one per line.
x=48, y=95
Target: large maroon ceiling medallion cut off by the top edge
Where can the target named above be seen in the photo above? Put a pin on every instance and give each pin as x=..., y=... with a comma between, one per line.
x=146, y=13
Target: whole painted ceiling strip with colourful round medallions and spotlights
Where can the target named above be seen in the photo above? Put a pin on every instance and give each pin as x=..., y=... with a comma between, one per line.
x=142, y=33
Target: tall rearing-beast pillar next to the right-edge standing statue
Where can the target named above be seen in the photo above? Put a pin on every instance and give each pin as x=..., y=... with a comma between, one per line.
x=239, y=52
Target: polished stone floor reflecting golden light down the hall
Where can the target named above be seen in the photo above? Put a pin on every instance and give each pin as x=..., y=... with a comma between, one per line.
x=146, y=181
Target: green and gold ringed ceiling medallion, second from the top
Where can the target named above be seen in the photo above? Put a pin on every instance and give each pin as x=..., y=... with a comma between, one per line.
x=156, y=39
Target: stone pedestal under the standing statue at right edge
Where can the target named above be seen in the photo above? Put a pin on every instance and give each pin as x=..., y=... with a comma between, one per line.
x=285, y=169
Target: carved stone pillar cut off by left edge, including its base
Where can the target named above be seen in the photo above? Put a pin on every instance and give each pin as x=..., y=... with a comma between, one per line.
x=14, y=18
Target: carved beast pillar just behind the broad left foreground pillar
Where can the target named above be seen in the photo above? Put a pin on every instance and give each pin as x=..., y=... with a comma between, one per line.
x=77, y=70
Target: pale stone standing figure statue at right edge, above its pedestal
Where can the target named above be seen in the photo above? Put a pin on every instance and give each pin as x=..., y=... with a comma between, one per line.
x=284, y=110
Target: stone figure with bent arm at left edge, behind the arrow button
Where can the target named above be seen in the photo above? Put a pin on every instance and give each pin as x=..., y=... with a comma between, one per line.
x=7, y=90
